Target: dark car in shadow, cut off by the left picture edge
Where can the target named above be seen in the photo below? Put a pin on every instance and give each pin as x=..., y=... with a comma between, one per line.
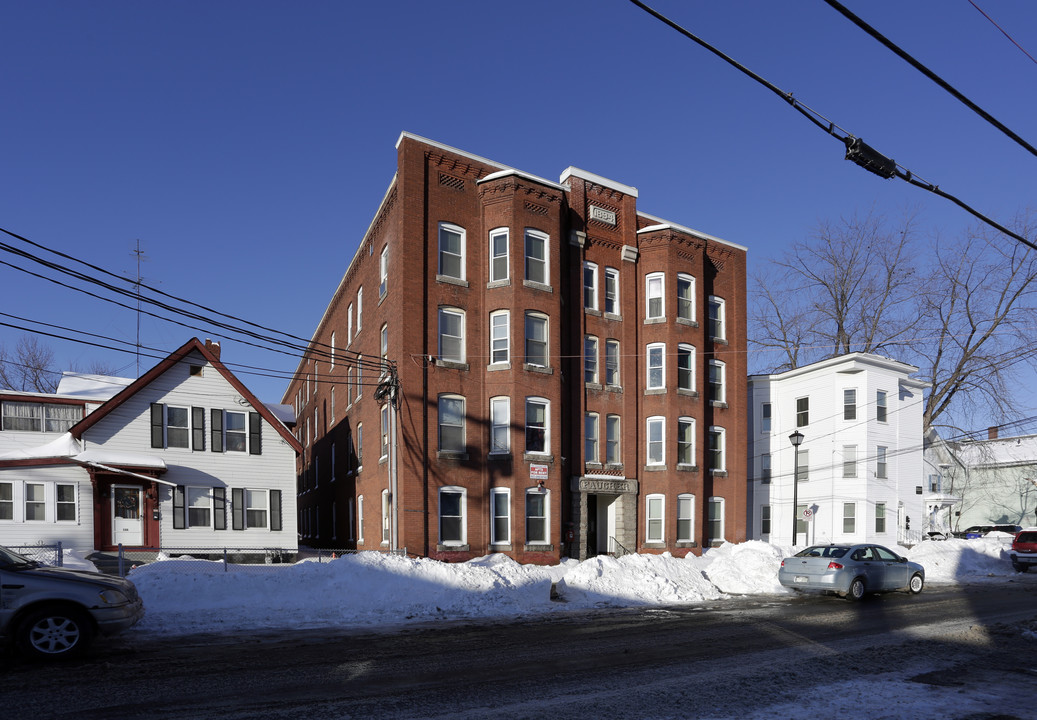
x=52, y=613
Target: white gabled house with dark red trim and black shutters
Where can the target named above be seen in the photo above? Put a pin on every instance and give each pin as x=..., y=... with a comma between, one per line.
x=184, y=457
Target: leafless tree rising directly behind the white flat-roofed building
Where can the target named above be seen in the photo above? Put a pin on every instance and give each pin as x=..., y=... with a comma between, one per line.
x=850, y=289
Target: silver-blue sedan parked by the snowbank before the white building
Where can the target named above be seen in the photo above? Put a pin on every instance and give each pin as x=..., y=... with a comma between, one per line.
x=851, y=571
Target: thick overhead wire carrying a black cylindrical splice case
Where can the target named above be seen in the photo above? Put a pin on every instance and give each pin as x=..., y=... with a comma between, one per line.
x=856, y=150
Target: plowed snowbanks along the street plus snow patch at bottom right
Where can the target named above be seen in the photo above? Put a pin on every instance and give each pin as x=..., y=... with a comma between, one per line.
x=373, y=591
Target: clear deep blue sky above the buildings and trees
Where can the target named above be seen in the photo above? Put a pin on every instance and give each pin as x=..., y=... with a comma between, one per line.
x=247, y=145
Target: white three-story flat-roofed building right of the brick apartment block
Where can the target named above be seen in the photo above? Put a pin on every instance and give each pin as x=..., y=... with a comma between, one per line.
x=859, y=465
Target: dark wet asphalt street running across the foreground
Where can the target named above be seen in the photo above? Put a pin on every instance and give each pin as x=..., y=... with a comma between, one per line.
x=723, y=660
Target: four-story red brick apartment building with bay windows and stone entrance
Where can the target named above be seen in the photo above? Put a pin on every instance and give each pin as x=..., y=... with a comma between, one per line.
x=512, y=365
